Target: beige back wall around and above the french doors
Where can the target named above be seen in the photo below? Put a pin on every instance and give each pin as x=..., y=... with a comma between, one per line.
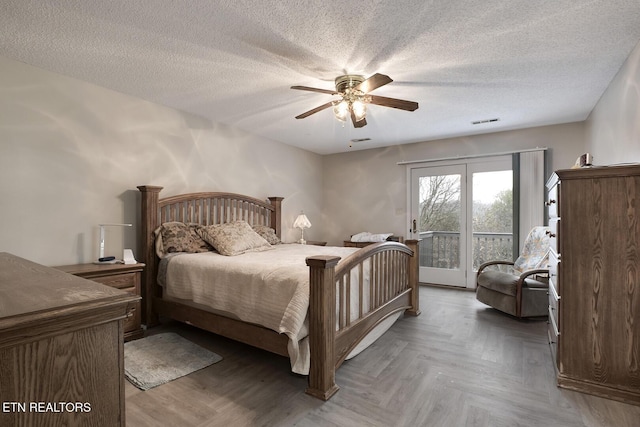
x=366, y=190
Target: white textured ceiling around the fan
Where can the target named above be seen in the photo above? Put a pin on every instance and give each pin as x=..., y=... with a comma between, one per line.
x=528, y=63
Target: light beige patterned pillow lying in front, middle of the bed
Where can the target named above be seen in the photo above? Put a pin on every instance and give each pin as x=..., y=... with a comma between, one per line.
x=233, y=238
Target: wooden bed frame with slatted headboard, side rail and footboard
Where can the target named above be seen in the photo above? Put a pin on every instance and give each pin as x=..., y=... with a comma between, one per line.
x=393, y=270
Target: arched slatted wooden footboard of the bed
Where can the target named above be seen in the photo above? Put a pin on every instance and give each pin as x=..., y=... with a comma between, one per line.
x=392, y=287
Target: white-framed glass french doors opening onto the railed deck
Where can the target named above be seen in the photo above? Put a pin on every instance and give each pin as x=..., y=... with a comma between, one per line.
x=463, y=215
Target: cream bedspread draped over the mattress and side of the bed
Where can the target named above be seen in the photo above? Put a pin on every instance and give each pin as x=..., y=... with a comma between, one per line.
x=269, y=288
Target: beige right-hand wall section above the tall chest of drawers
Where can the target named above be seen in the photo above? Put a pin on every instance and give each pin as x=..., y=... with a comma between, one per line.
x=613, y=128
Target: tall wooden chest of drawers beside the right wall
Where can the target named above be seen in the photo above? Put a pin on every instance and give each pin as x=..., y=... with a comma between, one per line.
x=594, y=292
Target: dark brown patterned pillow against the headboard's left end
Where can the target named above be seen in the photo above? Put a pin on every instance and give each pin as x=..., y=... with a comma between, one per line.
x=177, y=236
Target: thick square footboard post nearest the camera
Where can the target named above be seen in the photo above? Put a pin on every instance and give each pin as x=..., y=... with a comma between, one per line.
x=322, y=326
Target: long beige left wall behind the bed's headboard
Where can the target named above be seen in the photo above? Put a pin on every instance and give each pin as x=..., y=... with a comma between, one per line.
x=72, y=154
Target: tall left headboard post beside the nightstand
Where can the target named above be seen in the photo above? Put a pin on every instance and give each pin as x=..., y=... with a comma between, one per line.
x=149, y=219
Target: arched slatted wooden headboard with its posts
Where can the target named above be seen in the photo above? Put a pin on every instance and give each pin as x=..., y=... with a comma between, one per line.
x=205, y=208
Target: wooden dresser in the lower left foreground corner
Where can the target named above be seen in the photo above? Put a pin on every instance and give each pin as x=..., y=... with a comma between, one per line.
x=61, y=347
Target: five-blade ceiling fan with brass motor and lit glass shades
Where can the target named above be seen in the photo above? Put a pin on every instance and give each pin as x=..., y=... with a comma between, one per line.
x=354, y=97
